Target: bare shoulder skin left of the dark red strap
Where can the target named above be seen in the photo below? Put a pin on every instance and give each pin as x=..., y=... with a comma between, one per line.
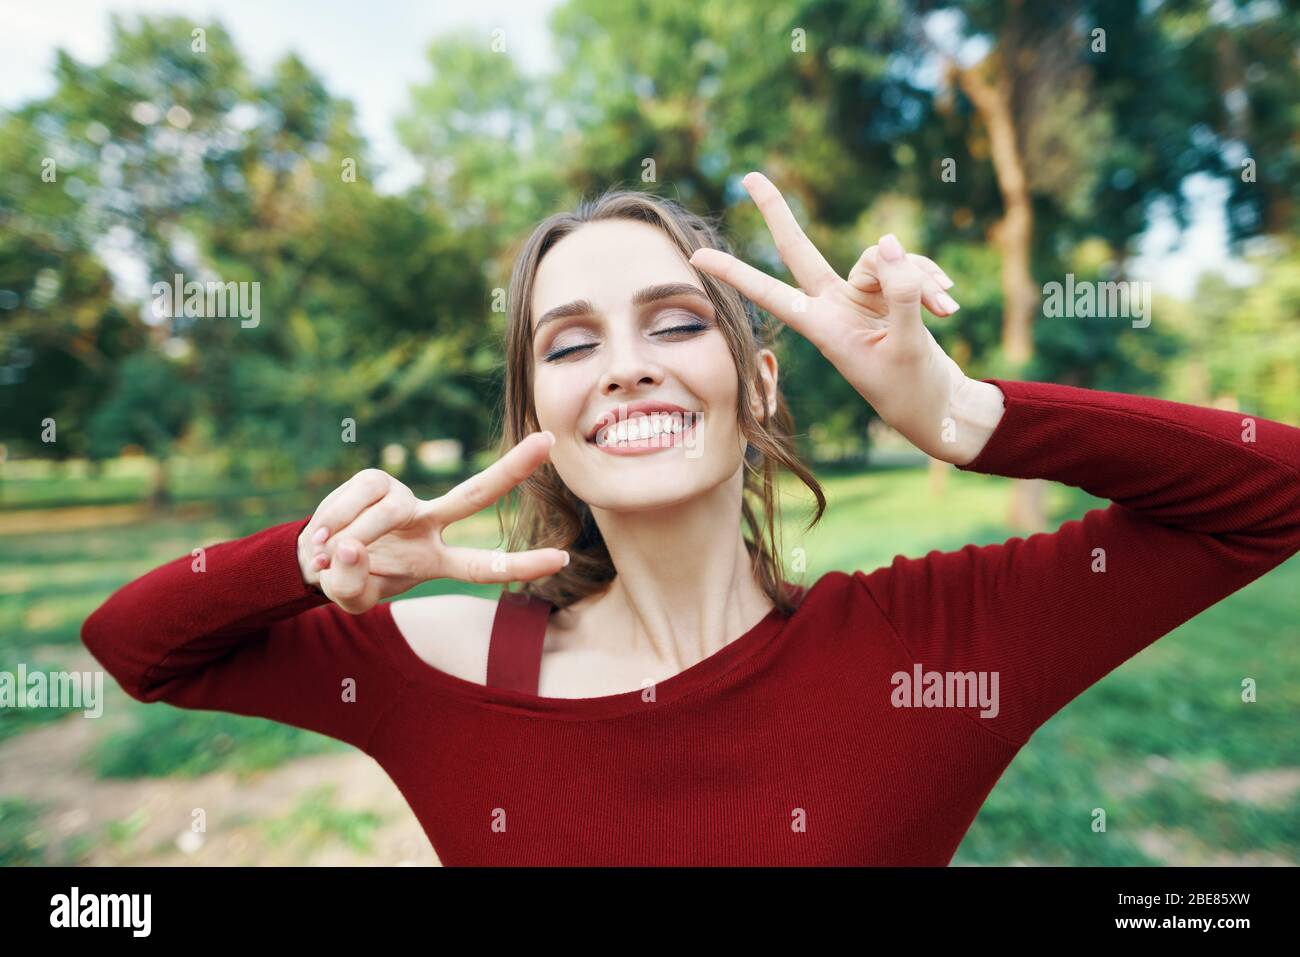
x=450, y=633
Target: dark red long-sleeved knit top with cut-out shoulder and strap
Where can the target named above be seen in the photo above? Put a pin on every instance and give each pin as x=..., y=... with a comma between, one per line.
x=807, y=741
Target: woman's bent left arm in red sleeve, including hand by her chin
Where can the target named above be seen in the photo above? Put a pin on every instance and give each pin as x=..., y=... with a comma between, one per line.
x=283, y=625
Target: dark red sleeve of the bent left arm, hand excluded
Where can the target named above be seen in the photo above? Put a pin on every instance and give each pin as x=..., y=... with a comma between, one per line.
x=250, y=638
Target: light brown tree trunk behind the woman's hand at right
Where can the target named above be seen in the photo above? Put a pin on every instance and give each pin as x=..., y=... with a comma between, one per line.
x=989, y=85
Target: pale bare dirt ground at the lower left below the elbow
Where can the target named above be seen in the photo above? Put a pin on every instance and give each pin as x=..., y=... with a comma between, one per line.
x=149, y=821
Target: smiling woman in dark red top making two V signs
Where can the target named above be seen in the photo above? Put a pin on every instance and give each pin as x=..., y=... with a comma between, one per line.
x=658, y=694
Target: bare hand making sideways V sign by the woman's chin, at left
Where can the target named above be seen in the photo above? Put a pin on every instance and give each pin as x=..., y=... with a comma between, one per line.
x=372, y=539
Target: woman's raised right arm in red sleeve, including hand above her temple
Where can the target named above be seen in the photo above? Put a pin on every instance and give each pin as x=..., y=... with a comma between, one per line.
x=1199, y=510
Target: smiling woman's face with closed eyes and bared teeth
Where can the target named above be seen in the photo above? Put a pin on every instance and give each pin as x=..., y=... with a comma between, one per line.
x=622, y=322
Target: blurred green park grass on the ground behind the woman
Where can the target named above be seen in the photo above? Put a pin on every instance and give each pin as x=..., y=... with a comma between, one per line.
x=1180, y=700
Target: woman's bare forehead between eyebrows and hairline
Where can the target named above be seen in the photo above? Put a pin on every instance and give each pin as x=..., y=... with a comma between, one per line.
x=608, y=262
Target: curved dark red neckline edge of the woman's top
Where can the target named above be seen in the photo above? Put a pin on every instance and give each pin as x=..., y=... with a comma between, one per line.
x=674, y=688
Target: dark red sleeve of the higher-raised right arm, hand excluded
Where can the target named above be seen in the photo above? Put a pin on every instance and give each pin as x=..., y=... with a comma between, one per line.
x=1198, y=513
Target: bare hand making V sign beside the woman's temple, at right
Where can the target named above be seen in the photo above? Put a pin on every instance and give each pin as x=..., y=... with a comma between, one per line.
x=870, y=328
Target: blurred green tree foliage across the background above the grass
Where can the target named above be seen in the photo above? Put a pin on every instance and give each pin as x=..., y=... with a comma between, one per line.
x=378, y=309
